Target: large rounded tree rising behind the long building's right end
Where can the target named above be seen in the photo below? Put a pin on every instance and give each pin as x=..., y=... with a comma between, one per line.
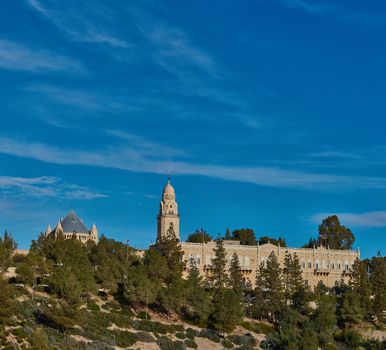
x=334, y=235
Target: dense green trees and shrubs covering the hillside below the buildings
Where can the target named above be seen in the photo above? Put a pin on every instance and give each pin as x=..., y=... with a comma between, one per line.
x=69, y=275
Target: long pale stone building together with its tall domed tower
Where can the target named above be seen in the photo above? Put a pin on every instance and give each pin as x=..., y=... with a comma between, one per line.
x=318, y=264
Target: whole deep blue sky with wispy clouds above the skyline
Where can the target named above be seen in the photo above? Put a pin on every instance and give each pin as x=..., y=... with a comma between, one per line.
x=267, y=114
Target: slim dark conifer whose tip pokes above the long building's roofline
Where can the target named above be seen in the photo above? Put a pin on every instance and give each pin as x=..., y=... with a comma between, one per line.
x=218, y=276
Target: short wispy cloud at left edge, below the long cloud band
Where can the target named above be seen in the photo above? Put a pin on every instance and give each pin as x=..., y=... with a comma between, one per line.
x=45, y=186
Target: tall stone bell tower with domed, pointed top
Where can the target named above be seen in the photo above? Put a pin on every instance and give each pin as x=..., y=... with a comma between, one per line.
x=168, y=219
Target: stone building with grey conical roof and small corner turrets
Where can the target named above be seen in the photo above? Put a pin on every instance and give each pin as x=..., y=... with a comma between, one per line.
x=73, y=225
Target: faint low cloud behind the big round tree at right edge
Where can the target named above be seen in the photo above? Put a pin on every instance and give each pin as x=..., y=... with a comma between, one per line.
x=367, y=219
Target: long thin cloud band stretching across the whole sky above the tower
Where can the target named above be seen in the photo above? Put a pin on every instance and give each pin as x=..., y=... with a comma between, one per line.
x=136, y=160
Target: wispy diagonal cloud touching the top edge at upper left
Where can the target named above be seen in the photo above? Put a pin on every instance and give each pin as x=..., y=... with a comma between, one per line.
x=86, y=22
